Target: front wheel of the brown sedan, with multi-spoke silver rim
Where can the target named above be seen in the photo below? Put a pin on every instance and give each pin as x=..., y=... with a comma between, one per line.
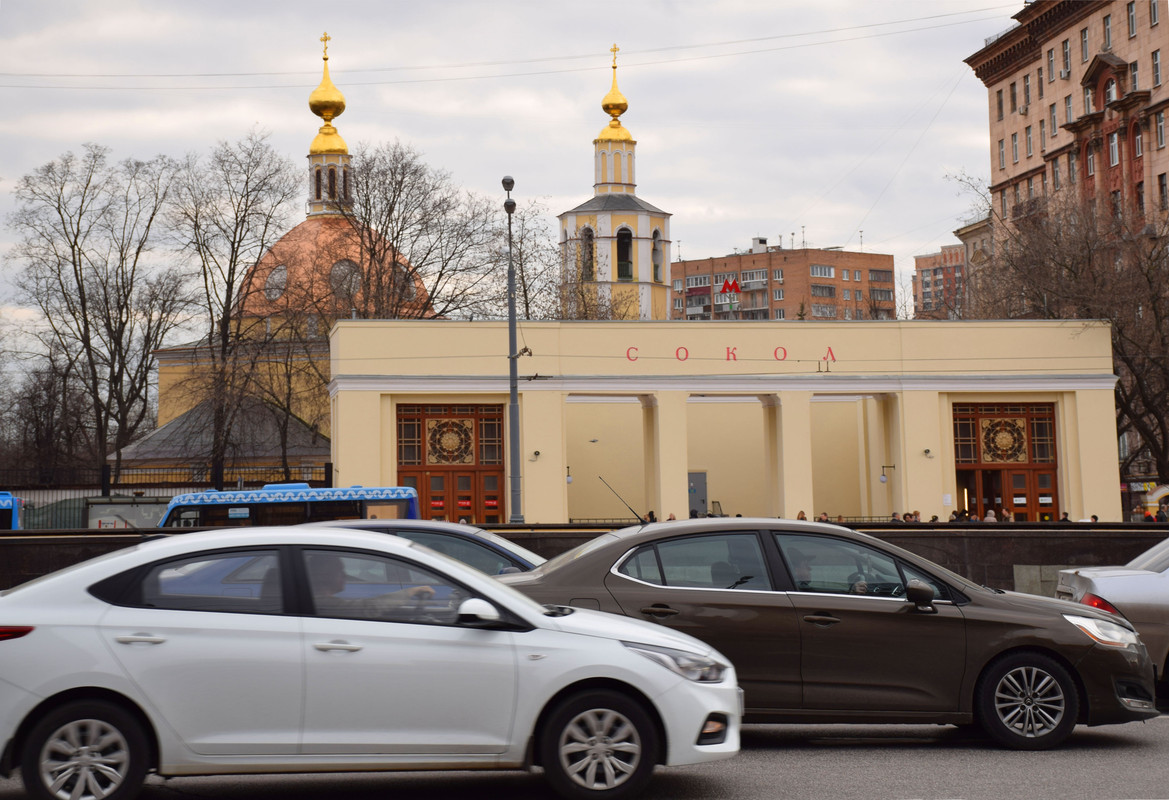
x=1028, y=701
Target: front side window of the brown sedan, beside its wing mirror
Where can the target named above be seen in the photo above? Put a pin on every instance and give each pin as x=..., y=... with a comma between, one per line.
x=825, y=564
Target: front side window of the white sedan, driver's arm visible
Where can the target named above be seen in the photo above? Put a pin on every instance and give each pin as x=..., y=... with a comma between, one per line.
x=375, y=588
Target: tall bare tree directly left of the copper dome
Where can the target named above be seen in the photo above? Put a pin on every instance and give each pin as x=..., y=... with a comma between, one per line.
x=230, y=209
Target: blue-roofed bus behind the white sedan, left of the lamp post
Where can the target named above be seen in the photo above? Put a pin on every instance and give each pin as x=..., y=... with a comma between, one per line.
x=289, y=505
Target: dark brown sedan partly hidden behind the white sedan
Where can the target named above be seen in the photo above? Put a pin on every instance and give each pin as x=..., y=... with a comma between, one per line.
x=826, y=625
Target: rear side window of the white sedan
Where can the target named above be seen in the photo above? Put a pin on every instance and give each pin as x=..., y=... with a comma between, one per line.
x=227, y=582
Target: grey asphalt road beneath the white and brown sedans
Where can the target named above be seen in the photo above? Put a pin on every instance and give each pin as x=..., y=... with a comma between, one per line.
x=790, y=763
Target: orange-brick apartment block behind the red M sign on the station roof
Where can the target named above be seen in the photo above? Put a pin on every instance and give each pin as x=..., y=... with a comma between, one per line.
x=774, y=284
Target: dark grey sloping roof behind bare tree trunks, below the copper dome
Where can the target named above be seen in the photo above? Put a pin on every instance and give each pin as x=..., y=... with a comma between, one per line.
x=255, y=436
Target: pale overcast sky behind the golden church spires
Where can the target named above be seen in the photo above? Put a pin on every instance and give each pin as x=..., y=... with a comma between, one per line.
x=821, y=119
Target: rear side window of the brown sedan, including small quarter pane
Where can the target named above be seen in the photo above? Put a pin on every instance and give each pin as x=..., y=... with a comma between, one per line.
x=721, y=561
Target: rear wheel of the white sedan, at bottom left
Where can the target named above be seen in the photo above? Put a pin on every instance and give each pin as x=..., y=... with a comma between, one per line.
x=89, y=750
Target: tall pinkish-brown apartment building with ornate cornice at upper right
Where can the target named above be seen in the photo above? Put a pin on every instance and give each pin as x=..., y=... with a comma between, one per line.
x=1077, y=101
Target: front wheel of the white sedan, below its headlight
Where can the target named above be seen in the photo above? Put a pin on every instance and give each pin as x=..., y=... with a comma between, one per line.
x=599, y=744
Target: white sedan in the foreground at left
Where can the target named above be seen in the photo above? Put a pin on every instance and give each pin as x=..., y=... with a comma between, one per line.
x=253, y=651
